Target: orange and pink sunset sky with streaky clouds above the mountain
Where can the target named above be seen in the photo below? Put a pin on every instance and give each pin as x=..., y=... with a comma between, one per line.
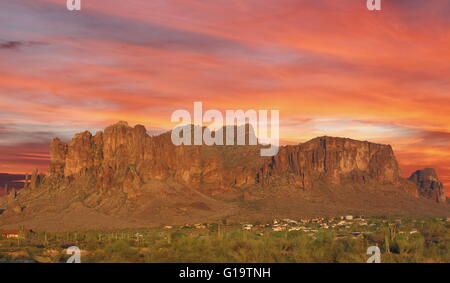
x=330, y=67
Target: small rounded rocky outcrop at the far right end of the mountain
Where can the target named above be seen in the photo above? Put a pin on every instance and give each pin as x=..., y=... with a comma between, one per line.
x=428, y=184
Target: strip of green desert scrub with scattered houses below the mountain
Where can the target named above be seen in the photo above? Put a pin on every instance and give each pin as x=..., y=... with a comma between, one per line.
x=312, y=240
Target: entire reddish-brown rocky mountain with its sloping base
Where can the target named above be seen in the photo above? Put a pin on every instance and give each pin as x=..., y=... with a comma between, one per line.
x=124, y=178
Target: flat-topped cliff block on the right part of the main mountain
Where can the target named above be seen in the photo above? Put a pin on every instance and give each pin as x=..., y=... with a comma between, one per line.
x=335, y=161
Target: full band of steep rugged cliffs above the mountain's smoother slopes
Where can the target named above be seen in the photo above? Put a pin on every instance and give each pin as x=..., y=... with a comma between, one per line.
x=125, y=157
